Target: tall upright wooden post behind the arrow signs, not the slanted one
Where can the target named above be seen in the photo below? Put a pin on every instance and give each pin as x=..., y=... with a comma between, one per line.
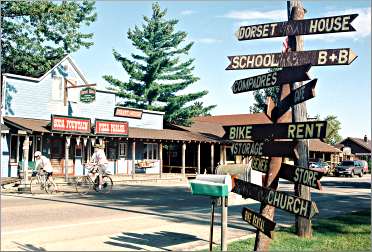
x=299, y=114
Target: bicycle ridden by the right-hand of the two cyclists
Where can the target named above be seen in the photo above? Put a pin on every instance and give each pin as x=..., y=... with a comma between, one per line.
x=86, y=183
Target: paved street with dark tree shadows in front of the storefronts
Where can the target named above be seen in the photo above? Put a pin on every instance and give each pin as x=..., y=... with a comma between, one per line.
x=146, y=217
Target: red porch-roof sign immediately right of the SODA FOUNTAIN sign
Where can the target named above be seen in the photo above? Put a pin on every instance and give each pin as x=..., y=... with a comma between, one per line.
x=106, y=127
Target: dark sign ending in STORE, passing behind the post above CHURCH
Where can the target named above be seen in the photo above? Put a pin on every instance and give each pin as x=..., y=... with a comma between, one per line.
x=303, y=176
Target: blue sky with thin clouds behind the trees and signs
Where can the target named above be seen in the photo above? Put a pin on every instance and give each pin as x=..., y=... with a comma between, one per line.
x=344, y=91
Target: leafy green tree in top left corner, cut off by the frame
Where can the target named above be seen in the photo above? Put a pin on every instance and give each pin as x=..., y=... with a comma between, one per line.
x=37, y=34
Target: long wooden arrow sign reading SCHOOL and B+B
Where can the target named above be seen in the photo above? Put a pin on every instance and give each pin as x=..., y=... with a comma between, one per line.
x=326, y=57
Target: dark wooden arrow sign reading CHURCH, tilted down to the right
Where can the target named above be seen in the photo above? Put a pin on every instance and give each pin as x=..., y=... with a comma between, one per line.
x=282, y=200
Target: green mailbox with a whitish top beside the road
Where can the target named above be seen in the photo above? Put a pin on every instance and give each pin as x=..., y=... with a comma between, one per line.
x=211, y=185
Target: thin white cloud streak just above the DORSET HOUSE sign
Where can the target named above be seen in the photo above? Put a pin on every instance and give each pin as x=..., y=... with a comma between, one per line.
x=250, y=14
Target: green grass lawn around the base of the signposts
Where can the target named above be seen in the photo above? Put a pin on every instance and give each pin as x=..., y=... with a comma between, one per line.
x=349, y=232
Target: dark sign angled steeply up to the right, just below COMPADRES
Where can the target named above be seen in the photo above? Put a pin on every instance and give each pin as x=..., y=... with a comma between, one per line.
x=297, y=96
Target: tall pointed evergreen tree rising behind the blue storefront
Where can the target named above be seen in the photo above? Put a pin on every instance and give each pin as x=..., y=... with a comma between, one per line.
x=159, y=72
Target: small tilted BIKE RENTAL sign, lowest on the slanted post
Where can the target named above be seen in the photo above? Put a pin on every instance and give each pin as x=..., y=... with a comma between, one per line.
x=260, y=222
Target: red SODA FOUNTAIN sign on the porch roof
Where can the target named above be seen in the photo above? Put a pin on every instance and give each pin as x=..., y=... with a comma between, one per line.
x=70, y=124
